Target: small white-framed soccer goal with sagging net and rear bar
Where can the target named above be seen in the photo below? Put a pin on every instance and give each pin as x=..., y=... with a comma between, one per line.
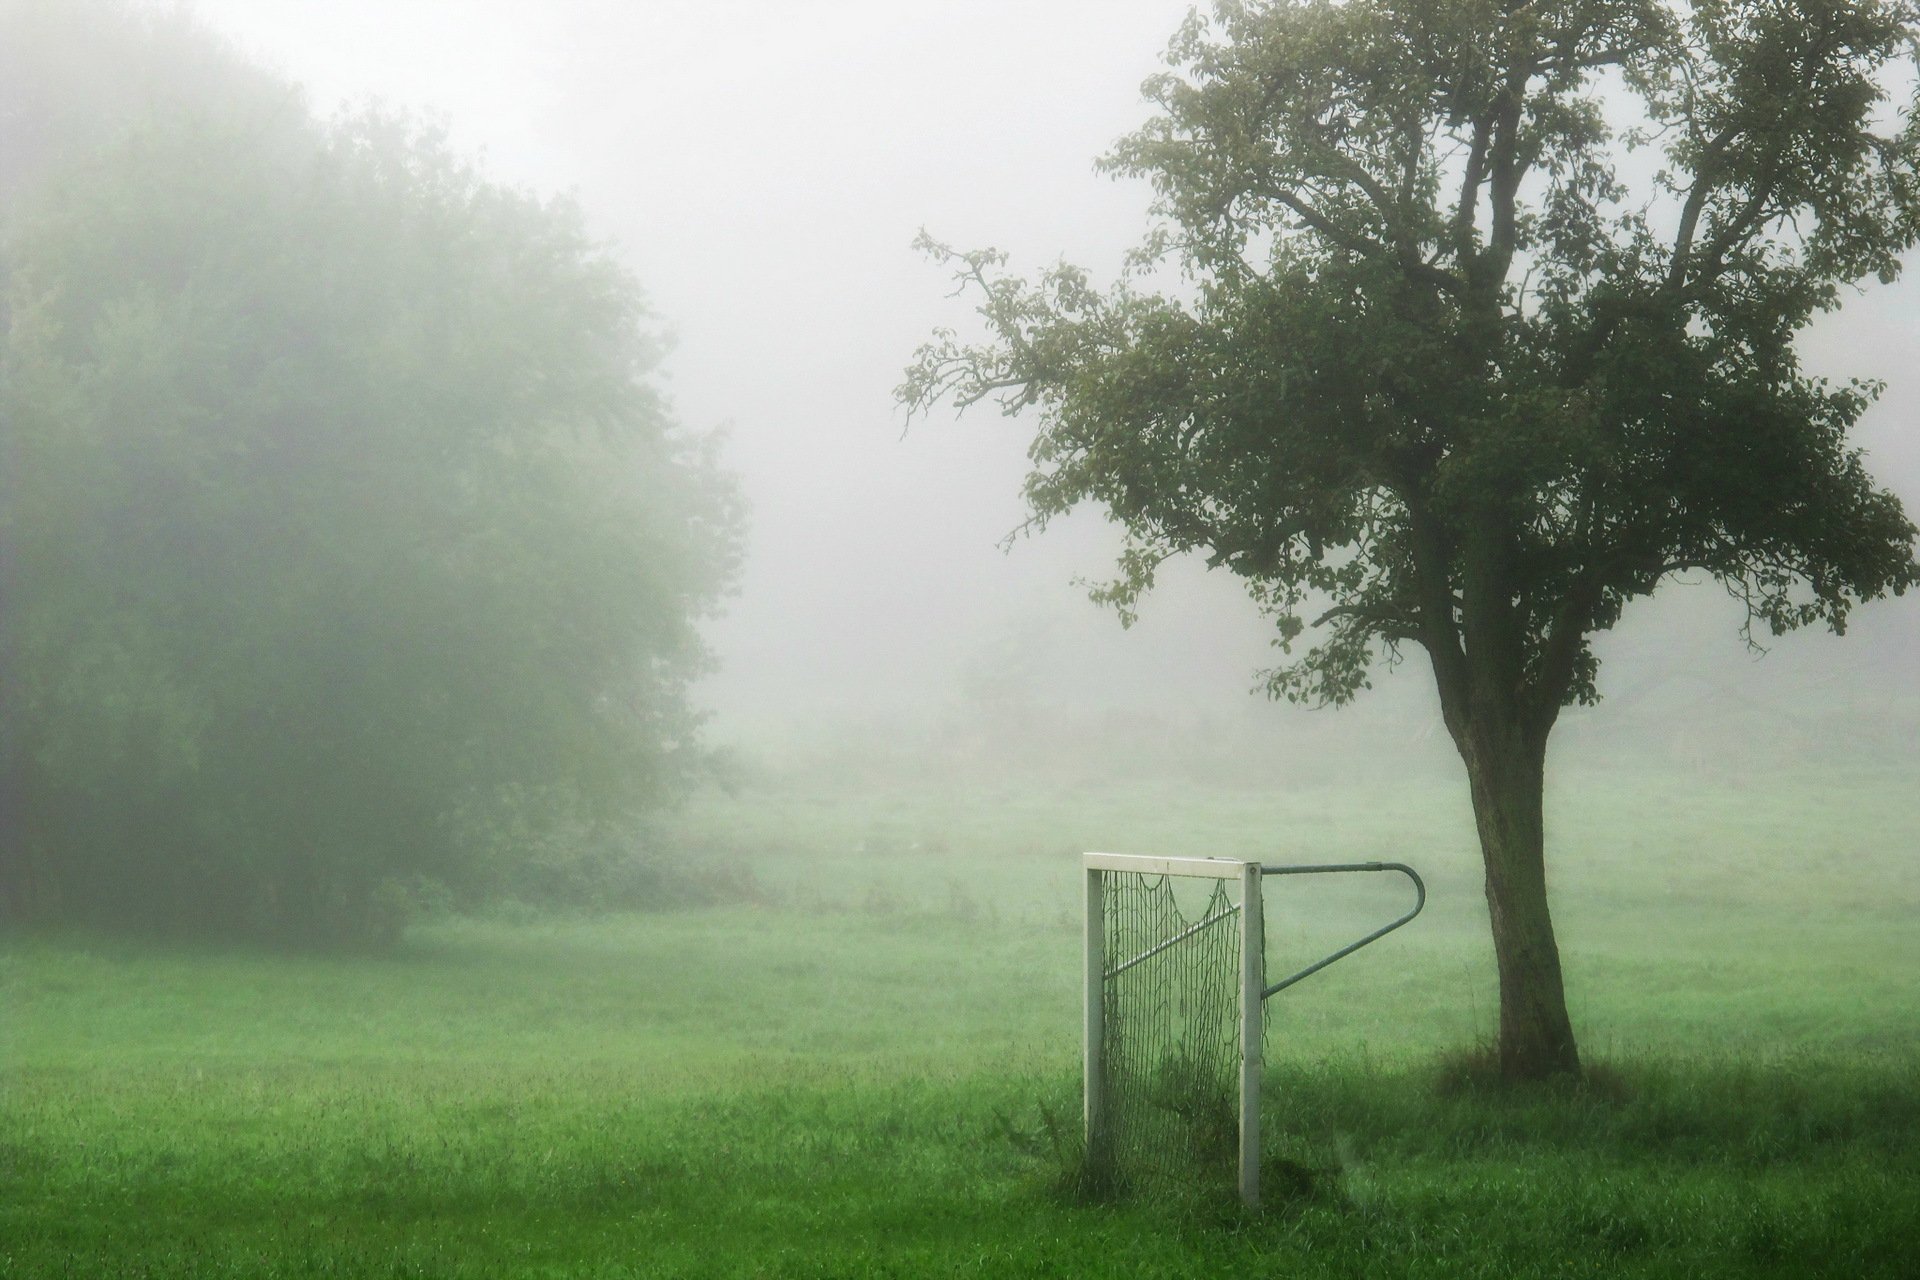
x=1176, y=1010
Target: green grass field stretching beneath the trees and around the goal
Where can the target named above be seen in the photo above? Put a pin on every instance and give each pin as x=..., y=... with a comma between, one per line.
x=855, y=1066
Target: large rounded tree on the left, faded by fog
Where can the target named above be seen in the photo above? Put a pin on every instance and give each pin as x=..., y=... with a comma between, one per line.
x=347, y=542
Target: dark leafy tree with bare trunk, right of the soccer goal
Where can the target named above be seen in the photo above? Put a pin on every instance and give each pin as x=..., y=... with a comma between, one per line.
x=1481, y=325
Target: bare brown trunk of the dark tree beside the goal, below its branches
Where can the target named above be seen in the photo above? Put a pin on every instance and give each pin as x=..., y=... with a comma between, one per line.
x=1506, y=769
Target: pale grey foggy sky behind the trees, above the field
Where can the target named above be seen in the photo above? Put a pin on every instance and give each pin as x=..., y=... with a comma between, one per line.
x=765, y=166
